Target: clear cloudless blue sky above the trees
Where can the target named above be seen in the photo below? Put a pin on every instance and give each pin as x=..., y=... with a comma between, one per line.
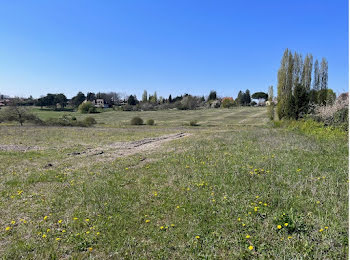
x=172, y=47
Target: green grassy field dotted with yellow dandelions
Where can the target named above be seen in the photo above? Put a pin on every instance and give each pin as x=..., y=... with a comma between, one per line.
x=233, y=187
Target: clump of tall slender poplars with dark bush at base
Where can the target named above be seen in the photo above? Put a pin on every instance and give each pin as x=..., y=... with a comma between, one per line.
x=300, y=84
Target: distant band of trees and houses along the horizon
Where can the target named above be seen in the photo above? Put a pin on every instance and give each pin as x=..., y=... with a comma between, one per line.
x=147, y=102
